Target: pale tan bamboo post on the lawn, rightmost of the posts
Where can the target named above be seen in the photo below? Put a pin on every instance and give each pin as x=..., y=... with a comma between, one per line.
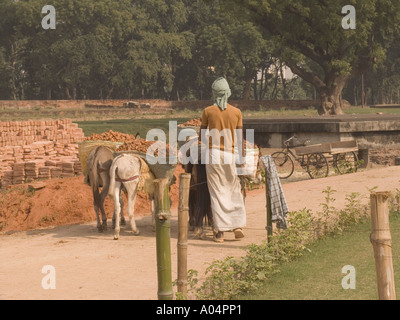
x=381, y=240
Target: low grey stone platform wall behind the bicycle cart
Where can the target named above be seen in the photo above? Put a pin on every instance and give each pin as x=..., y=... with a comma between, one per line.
x=369, y=130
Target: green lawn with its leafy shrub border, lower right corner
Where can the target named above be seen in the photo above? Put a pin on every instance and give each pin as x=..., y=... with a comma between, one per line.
x=305, y=260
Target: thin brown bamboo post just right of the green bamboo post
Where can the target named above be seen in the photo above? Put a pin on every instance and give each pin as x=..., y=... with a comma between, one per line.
x=183, y=218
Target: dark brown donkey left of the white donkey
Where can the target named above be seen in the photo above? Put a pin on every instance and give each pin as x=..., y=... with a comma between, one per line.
x=98, y=176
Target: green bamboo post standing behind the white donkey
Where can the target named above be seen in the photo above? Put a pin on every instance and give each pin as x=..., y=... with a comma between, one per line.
x=163, y=246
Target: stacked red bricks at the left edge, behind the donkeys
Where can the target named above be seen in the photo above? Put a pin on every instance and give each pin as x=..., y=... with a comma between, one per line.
x=31, y=150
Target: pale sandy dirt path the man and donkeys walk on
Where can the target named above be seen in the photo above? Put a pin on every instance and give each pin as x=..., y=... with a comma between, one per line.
x=90, y=265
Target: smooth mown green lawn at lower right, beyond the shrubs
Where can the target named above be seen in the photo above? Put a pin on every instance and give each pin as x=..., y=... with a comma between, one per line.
x=317, y=275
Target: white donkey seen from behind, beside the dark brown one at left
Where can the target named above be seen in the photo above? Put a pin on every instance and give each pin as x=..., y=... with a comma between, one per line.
x=125, y=170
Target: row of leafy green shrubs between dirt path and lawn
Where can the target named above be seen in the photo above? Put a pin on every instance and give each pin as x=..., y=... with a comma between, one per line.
x=232, y=277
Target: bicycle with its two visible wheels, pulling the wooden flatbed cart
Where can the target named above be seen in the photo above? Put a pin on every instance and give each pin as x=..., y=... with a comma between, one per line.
x=316, y=164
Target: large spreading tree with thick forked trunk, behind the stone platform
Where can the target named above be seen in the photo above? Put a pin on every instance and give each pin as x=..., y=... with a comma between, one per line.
x=311, y=31
